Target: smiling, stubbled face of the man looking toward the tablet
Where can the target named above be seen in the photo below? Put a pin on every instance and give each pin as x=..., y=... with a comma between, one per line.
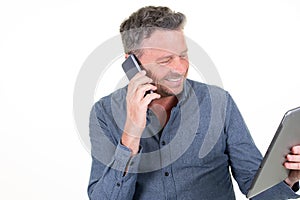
x=165, y=60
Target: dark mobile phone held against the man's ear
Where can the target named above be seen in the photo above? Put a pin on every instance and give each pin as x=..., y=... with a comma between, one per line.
x=131, y=66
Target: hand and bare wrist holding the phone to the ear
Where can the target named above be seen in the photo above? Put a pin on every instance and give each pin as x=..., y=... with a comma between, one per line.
x=137, y=105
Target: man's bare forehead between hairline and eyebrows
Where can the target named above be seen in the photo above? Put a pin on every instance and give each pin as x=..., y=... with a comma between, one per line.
x=172, y=41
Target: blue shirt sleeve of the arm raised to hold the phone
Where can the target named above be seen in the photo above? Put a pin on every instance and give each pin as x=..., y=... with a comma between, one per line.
x=110, y=161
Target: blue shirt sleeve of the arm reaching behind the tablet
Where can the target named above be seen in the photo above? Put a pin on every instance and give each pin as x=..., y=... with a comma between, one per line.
x=245, y=158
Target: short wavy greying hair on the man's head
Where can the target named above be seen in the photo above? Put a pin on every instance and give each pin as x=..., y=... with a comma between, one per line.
x=142, y=23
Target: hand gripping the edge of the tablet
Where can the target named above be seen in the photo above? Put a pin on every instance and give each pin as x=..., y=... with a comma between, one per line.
x=293, y=164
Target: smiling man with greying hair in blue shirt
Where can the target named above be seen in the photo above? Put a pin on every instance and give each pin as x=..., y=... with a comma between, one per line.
x=179, y=141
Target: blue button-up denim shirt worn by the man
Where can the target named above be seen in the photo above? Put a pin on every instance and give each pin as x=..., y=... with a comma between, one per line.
x=204, y=144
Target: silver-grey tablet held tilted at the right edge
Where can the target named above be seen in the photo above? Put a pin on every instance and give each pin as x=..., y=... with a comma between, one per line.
x=271, y=170
